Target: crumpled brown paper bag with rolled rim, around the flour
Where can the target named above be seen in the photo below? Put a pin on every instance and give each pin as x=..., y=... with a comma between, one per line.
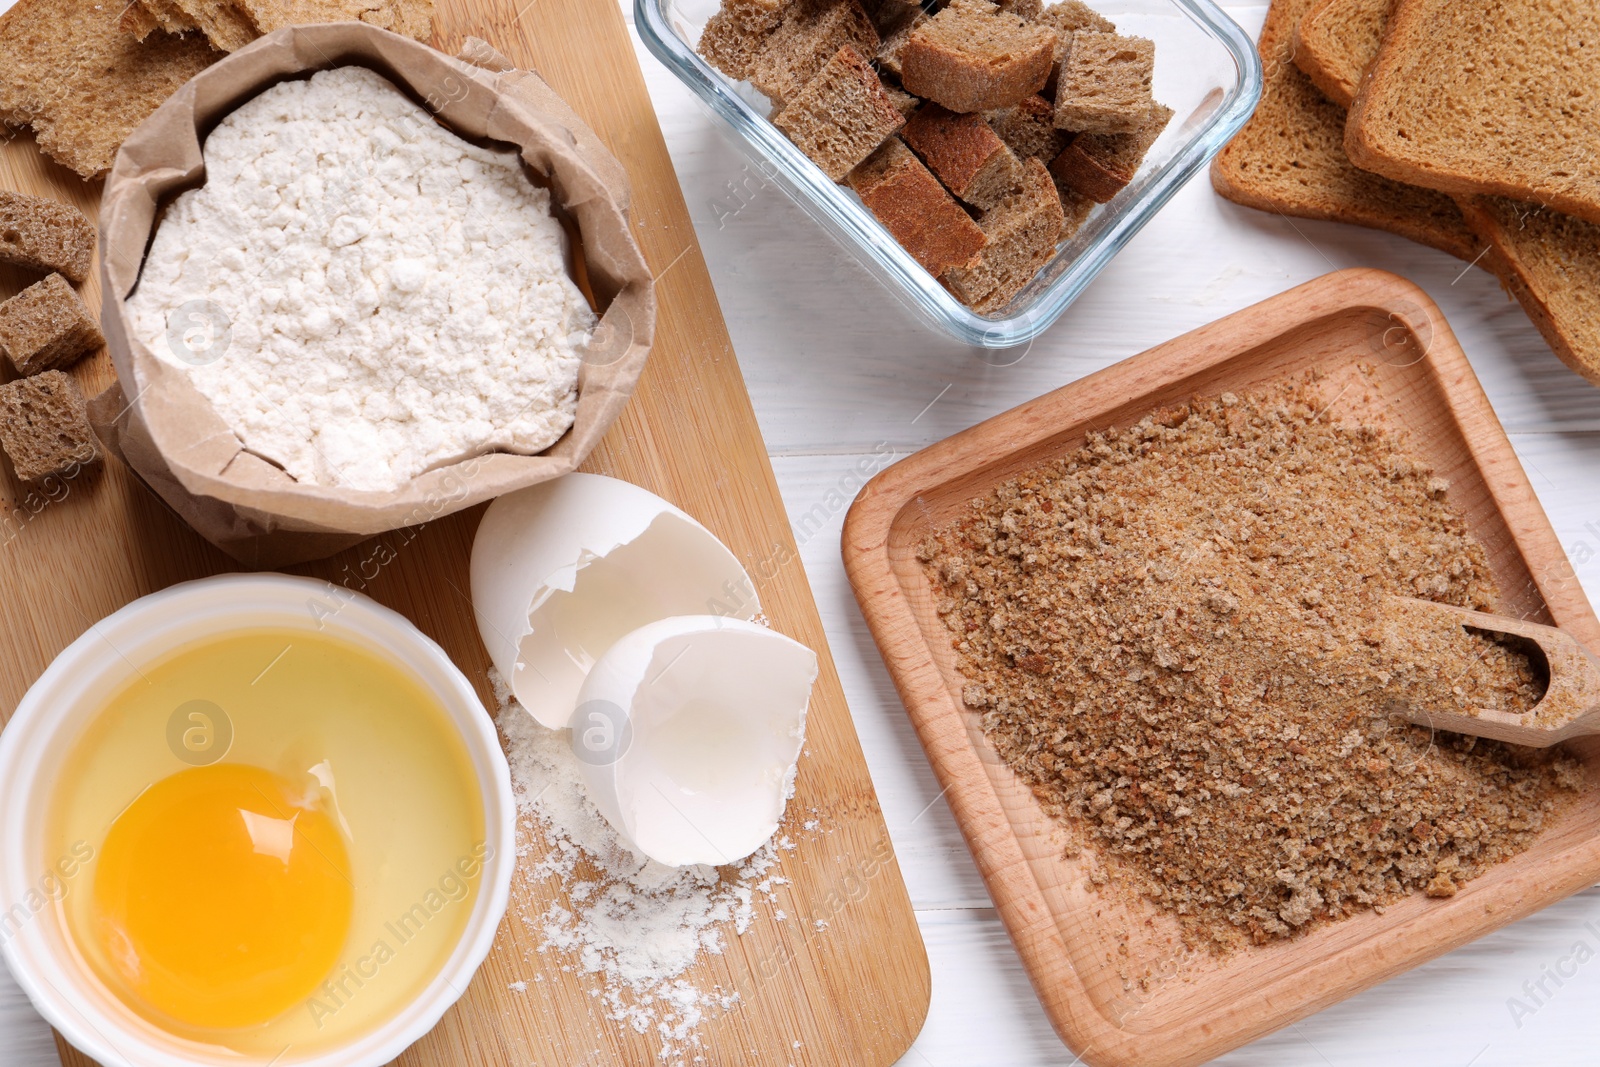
x=174, y=438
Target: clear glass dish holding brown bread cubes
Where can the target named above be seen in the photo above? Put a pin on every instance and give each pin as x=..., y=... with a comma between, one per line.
x=1207, y=71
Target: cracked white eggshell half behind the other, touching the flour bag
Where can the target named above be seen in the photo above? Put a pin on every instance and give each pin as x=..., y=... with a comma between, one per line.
x=566, y=569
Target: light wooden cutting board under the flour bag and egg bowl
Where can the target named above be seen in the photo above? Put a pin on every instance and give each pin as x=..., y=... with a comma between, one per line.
x=844, y=980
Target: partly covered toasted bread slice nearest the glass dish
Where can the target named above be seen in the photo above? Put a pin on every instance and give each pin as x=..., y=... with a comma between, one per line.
x=1290, y=159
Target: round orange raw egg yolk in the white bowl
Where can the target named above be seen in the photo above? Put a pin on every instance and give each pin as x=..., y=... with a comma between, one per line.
x=223, y=897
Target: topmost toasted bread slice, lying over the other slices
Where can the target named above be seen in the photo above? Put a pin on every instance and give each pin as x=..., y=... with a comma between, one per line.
x=1487, y=98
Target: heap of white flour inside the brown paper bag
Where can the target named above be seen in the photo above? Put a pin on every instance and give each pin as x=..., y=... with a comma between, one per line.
x=361, y=294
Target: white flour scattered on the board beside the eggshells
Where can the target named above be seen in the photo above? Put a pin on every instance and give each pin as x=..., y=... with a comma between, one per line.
x=634, y=924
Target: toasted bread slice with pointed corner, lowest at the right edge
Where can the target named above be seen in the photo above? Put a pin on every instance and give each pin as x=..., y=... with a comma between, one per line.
x=1553, y=268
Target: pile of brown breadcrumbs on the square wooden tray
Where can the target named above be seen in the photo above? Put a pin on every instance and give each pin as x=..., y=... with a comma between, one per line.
x=1177, y=637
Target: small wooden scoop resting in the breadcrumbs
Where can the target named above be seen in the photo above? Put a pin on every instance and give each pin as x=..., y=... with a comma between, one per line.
x=1570, y=706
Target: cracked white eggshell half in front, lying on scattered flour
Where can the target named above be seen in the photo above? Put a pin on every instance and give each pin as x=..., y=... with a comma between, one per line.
x=690, y=732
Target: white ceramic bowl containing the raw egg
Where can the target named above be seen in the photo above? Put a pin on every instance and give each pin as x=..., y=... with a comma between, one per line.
x=74, y=689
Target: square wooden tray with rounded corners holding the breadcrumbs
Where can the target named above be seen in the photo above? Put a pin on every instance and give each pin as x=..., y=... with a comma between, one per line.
x=1198, y=1007
